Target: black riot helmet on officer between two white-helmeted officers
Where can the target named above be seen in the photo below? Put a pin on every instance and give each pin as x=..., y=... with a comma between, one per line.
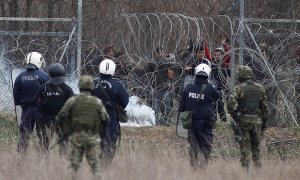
x=57, y=73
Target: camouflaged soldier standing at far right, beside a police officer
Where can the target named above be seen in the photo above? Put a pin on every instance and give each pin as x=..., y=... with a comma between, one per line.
x=248, y=107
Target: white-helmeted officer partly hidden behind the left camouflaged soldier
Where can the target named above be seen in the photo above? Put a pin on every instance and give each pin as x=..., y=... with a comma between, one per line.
x=114, y=96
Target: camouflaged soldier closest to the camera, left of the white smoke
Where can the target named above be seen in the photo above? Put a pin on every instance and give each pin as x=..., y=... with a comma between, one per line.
x=87, y=116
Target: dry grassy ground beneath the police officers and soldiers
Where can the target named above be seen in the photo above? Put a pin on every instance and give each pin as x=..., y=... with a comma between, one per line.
x=152, y=153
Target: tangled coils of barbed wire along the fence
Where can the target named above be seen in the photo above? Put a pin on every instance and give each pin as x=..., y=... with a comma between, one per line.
x=139, y=35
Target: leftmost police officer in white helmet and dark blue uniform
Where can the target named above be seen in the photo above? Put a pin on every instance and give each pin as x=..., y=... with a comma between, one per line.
x=25, y=88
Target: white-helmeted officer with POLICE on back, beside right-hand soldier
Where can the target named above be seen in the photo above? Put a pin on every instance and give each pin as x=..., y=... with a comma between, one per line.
x=199, y=99
